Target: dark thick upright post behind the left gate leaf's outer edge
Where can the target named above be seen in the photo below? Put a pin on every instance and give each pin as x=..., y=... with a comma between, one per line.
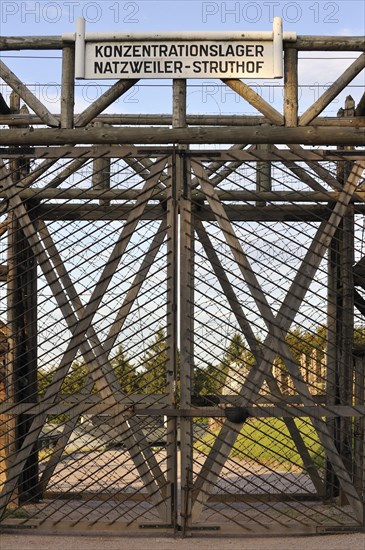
x=22, y=322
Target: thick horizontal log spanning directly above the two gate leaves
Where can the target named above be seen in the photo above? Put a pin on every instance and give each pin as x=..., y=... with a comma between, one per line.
x=276, y=135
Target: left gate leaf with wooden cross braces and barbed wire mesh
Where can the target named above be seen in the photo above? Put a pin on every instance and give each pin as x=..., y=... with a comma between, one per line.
x=88, y=286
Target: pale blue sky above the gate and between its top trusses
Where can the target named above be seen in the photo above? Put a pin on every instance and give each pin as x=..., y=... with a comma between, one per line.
x=342, y=18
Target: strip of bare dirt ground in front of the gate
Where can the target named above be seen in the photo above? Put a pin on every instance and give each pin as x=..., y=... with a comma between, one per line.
x=353, y=541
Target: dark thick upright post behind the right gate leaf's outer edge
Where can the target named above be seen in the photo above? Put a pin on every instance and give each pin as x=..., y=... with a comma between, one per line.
x=341, y=327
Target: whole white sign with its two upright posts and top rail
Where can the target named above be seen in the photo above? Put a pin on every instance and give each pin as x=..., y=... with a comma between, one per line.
x=211, y=54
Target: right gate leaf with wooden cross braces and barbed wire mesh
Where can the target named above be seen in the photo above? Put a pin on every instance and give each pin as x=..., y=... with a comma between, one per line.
x=272, y=314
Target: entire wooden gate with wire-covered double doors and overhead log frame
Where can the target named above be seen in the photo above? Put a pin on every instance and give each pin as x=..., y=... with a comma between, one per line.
x=183, y=345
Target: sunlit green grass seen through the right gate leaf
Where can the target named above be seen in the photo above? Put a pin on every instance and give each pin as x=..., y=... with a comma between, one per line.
x=268, y=441
